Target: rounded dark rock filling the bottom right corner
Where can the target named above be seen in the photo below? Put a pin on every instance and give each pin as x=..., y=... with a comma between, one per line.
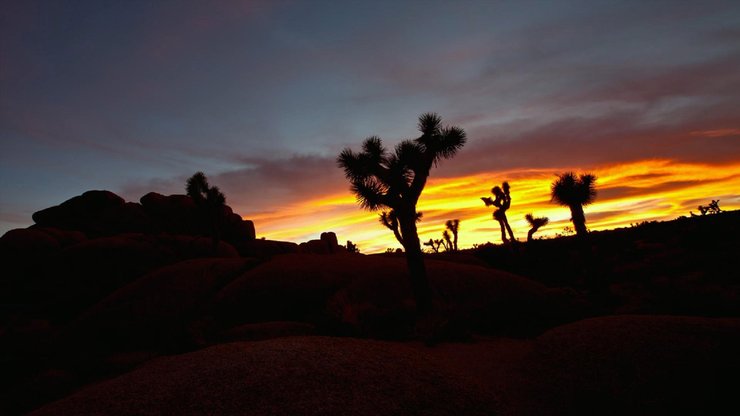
x=633, y=364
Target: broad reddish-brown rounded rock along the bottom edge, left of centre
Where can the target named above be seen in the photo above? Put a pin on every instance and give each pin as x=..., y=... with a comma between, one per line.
x=285, y=376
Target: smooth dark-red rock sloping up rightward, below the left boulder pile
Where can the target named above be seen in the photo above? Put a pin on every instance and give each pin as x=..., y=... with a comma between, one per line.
x=157, y=309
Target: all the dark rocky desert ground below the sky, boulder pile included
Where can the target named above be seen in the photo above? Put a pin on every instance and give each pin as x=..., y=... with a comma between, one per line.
x=109, y=307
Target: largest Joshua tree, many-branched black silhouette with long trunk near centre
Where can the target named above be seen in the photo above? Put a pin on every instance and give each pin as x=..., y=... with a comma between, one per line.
x=395, y=180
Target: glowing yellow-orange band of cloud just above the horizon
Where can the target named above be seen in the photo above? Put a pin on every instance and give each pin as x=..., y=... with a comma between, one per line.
x=627, y=193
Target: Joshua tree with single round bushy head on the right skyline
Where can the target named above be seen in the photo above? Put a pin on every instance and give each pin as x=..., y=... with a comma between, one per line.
x=574, y=192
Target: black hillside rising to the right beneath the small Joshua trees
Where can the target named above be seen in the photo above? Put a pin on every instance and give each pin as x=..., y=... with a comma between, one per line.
x=685, y=266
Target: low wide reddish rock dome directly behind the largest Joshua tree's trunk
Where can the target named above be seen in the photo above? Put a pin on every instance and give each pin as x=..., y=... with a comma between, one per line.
x=371, y=296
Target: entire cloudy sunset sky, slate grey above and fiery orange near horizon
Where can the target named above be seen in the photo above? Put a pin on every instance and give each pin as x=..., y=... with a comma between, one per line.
x=135, y=96
